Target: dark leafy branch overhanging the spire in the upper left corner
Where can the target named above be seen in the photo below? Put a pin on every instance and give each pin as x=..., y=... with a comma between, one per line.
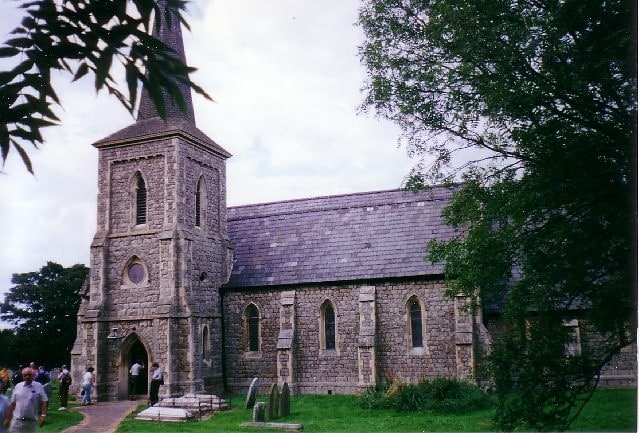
x=80, y=37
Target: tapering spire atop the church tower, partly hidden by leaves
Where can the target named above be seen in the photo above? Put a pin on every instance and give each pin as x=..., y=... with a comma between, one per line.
x=171, y=35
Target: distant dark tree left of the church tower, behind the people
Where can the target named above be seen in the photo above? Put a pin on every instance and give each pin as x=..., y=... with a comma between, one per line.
x=43, y=306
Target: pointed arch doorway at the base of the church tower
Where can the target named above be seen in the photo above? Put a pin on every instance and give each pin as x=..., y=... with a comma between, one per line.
x=133, y=349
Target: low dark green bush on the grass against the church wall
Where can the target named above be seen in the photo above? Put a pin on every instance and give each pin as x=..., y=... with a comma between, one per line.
x=442, y=396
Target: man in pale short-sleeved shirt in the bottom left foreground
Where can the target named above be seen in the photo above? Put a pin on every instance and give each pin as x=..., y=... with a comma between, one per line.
x=28, y=406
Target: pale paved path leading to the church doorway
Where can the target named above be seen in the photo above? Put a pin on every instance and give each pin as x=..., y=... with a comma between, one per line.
x=103, y=417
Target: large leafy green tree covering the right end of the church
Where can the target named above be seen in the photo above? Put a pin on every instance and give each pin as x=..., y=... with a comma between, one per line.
x=531, y=106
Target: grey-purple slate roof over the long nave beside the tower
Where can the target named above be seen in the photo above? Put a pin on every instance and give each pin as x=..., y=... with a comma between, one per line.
x=338, y=238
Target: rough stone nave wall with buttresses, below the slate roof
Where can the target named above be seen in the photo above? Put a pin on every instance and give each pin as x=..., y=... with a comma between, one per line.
x=373, y=339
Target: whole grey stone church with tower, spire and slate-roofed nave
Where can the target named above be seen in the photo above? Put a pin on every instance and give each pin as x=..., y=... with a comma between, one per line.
x=328, y=294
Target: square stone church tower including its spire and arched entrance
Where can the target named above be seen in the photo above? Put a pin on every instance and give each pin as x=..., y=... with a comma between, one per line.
x=159, y=255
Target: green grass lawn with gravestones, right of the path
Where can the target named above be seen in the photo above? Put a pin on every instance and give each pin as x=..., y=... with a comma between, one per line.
x=610, y=410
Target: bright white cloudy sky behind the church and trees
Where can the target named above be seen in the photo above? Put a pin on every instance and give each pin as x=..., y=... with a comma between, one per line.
x=286, y=80
